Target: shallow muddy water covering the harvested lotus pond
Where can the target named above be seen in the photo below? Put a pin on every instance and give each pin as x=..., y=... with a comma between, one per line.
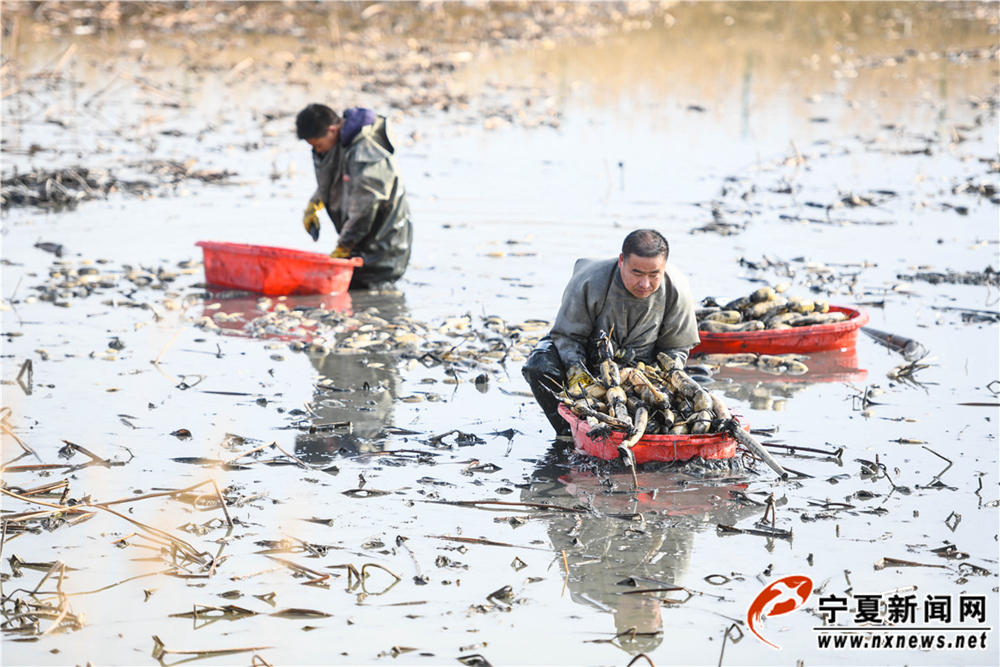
x=767, y=115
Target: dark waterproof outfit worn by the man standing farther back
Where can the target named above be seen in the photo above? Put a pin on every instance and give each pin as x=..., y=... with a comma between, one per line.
x=364, y=195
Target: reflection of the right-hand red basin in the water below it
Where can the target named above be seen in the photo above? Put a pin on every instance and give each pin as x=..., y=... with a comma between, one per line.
x=765, y=390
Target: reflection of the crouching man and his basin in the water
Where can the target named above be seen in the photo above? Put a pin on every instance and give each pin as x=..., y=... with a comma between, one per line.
x=631, y=542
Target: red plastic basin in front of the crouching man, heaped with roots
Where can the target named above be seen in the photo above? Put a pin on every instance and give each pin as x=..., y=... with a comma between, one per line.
x=651, y=447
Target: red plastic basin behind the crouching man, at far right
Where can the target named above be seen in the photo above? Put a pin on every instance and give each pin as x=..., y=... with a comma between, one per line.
x=815, y=338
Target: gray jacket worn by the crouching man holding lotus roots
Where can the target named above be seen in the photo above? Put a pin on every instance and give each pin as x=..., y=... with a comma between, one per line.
x=595, y=301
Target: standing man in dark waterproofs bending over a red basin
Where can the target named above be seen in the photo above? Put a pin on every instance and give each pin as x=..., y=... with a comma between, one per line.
x=360, y=187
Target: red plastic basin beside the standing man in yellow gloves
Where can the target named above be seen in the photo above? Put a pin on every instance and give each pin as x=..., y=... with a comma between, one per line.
x=275, y=271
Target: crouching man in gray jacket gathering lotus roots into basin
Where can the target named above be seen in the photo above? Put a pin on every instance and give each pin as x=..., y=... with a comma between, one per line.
x=642, y=303
